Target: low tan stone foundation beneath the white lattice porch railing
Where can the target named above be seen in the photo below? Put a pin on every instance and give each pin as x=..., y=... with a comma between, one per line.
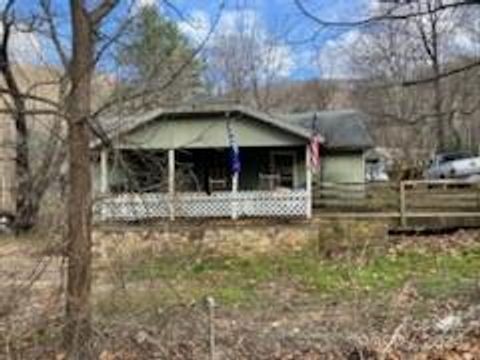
x=239, y=239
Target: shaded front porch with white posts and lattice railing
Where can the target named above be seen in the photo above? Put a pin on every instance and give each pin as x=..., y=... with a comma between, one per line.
x=136, y=185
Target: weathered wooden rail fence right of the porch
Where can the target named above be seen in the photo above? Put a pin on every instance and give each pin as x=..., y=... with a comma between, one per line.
x=408, y=199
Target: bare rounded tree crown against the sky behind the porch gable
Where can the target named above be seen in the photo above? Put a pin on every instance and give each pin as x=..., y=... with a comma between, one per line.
x=245, y=62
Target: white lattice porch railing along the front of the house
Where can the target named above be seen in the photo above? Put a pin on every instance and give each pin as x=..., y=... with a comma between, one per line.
x=132, y=207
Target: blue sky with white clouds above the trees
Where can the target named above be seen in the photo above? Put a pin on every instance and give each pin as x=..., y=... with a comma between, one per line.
x=295, y=51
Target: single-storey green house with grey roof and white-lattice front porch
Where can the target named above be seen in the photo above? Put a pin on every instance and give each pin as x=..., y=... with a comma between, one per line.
x=176, y=162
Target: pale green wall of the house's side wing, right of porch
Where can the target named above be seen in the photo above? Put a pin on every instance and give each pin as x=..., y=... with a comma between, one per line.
x=343, y=167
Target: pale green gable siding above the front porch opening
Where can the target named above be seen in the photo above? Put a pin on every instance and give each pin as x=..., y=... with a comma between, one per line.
x=206, y=133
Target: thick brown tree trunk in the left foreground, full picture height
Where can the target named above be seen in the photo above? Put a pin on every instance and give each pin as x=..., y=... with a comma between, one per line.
x=78, y=314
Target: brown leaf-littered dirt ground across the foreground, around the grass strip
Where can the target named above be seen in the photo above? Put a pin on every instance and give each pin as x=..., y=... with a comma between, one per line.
x=291, y=324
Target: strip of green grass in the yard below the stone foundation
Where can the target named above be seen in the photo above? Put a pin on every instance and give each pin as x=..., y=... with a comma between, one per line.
x=241, y=282
